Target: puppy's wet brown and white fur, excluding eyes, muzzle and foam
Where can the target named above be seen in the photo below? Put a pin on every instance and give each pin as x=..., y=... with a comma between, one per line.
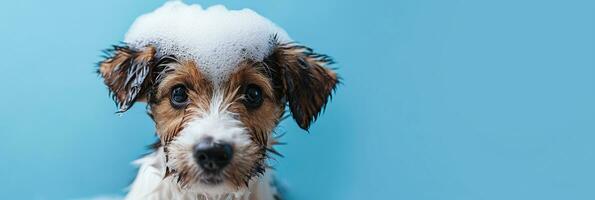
x=292, y=75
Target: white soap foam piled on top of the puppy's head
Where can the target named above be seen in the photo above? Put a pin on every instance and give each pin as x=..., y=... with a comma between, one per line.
x=216, y=38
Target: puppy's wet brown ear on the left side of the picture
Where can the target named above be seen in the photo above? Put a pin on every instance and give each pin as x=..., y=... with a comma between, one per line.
x=127, y=73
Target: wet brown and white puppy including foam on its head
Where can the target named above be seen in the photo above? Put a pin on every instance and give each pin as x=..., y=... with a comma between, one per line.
x=216, y=83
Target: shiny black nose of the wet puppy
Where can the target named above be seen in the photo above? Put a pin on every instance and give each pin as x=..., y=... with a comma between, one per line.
x=212, y=156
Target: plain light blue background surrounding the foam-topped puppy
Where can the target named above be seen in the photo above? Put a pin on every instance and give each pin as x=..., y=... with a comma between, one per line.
x=453, y=99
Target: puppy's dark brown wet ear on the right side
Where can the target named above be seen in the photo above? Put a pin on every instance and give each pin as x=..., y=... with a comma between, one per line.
x=306, y=81
